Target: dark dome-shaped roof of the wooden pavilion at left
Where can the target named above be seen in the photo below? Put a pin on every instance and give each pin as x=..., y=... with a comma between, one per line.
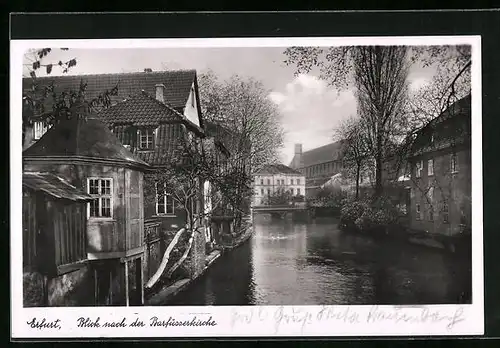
x=89, y=138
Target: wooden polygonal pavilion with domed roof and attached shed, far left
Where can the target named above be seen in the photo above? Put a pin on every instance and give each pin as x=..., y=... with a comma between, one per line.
x=91, y=243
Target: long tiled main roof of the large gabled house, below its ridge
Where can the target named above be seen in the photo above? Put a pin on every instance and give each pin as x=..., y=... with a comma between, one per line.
x=176, y=92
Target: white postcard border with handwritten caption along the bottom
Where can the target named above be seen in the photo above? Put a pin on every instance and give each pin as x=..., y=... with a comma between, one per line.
x=248, y=320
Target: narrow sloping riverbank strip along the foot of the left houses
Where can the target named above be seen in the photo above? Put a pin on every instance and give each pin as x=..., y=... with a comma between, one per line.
x=170, y=291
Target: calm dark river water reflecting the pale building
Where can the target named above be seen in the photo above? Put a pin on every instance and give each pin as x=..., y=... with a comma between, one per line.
x=287, y=263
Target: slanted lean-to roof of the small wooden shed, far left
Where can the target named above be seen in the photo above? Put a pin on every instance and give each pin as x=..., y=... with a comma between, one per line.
x=53, y=186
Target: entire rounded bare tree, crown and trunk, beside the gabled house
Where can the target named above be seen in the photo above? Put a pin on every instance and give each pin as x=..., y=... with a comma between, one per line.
x=251, y=130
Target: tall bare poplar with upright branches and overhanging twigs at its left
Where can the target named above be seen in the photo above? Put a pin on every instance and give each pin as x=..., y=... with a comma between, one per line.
x=378, y=75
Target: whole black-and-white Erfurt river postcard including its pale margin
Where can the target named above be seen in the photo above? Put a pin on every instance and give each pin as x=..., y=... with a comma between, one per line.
x=331, y=173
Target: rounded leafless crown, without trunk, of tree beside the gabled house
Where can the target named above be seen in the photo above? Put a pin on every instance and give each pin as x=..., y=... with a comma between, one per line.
x=242, y=105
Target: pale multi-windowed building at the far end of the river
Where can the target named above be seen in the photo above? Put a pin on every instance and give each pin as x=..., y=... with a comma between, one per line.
x=274, y=178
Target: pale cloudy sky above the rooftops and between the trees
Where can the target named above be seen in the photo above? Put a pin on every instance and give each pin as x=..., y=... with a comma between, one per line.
x=310, y=109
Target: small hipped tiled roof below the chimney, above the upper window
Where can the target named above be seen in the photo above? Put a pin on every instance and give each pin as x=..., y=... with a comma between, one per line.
x=141, y=109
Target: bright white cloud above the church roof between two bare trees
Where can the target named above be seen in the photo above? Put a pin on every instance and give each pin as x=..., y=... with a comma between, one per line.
x=311, y=110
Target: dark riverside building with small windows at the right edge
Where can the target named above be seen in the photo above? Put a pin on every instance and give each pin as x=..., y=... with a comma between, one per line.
x=441, y=175
